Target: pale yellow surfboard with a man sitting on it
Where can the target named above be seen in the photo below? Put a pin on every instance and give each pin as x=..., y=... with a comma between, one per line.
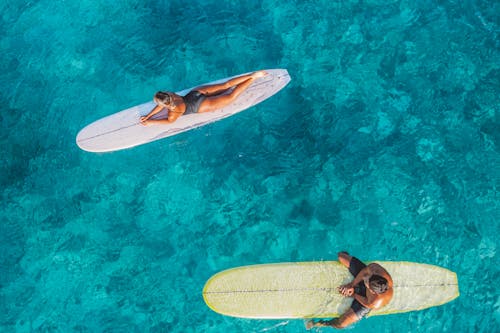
x=309, y=289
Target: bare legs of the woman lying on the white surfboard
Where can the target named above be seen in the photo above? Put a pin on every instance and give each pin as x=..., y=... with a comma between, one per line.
x=212, y=103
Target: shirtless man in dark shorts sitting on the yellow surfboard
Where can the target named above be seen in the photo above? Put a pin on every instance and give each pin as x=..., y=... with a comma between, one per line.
x=371, y=289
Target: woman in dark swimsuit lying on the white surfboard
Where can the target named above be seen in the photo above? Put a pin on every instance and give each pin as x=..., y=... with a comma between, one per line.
x=201, y=99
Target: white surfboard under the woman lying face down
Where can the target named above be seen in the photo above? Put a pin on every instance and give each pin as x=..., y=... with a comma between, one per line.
x=123, y=129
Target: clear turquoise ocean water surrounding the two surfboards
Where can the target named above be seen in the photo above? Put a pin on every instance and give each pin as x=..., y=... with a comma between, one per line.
x=385, y=144
